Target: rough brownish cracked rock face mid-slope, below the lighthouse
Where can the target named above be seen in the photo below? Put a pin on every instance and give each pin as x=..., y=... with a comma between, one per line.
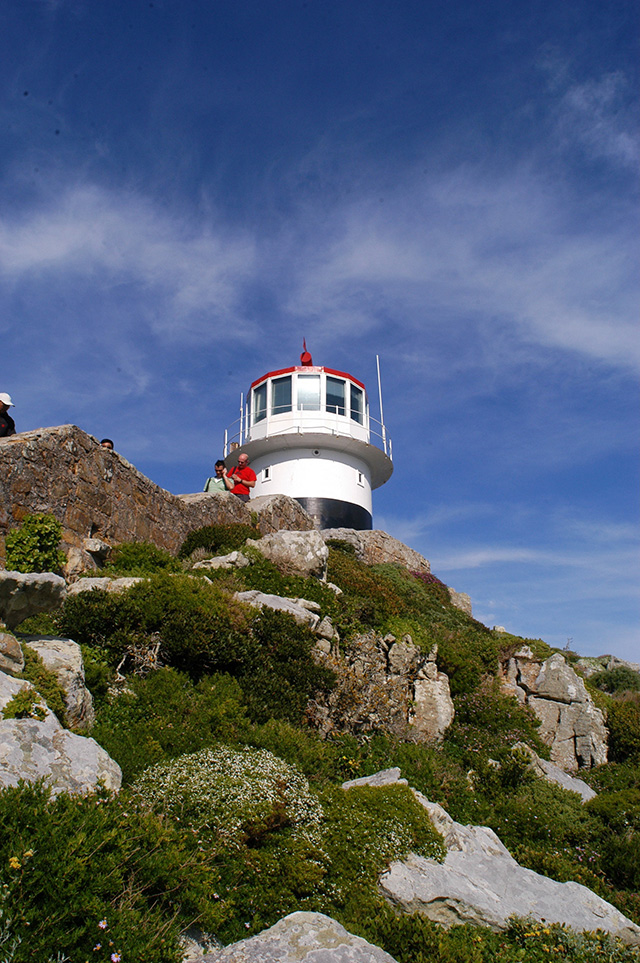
x=383, y=684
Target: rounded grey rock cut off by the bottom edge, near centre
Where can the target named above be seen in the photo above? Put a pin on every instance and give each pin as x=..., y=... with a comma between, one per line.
x=301, y=938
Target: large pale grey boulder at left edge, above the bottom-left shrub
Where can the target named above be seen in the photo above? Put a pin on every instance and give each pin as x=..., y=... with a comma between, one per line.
x=33, y=748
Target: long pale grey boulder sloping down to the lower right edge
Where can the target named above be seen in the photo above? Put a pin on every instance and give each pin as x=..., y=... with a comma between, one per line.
x=480, y=883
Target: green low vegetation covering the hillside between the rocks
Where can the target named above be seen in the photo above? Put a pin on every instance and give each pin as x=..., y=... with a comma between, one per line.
x=231, y=812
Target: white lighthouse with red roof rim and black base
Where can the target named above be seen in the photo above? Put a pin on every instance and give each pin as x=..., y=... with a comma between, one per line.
x=308, y=433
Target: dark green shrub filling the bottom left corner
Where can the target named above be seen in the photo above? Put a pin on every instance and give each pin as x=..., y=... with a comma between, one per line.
x=83, y=870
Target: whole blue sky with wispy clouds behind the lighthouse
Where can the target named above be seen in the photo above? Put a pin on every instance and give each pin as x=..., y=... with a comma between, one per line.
x=189, y=188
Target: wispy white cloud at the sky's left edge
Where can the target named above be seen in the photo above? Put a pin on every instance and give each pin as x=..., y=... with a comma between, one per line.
x=119, y=246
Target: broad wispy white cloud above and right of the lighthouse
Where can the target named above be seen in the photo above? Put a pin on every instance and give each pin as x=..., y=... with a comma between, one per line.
x=490, y=250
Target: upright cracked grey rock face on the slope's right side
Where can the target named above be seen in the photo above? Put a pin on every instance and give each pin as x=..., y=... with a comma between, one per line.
x=570, y=722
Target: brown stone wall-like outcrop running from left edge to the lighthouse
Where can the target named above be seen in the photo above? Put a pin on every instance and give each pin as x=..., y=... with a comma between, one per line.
x=100, y=499
